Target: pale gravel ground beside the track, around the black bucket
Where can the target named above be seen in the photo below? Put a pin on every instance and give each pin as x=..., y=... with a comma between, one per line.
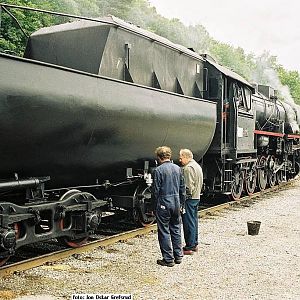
x=230, y=263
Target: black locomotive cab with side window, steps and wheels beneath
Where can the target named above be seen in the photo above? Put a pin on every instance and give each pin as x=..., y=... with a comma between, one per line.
x=232, y=153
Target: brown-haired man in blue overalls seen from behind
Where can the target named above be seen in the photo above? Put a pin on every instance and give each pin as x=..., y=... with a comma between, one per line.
x=169, y=194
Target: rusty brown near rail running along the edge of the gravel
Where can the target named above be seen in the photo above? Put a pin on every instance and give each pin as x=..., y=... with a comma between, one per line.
x=109, y=240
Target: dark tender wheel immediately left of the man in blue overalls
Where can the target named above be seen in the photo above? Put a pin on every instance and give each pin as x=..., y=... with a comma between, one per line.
x=143, y=211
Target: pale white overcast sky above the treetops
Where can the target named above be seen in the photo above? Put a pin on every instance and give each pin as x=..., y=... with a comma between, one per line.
x=254, y=25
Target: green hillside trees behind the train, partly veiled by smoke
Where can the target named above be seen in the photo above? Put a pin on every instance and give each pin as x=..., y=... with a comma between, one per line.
x=263, y=69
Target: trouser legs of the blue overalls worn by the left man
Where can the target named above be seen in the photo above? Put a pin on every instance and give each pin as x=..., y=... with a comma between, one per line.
x=169, y=228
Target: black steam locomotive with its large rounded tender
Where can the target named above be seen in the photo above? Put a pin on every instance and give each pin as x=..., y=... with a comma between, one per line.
x=82, y=112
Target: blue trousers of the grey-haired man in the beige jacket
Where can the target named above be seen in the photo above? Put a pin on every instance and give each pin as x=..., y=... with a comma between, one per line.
x=190, y=223
